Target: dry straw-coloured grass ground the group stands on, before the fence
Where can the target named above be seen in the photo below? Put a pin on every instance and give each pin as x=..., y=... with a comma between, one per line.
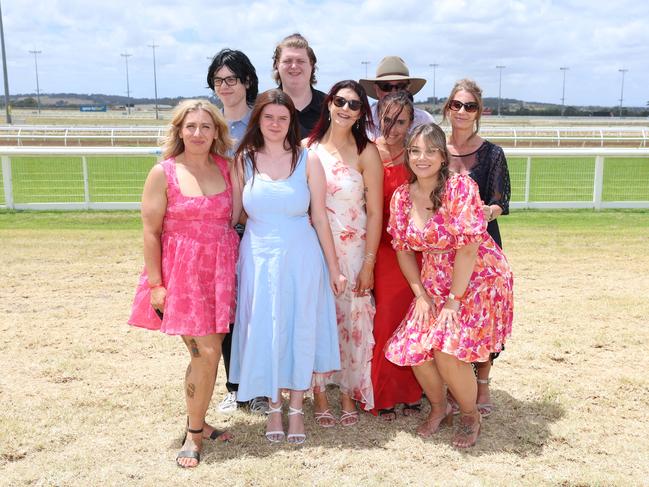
x=87, y=400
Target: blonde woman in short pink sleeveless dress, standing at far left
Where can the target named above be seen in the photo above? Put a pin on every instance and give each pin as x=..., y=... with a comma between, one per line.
x=190, y=252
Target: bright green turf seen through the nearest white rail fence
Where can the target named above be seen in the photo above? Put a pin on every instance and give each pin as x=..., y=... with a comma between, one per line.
x=59, y=179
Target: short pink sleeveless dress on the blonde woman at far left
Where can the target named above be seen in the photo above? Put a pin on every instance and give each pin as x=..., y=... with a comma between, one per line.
x=199, y=254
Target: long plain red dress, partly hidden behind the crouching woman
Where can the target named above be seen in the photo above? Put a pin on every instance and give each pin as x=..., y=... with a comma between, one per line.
x=392, y=384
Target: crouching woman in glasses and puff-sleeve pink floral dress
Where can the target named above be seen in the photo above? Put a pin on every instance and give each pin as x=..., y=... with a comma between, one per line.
x=463, y=306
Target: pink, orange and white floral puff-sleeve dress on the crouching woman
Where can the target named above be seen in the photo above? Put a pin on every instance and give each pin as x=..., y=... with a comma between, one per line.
x=486, y=312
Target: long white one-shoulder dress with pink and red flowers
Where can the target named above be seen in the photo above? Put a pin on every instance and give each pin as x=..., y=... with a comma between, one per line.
x=354, y=314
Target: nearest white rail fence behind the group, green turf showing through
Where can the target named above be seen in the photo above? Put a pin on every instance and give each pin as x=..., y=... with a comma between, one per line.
x=108, y=178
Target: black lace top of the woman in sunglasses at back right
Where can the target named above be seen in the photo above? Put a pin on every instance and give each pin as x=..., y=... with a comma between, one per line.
x=487, y=166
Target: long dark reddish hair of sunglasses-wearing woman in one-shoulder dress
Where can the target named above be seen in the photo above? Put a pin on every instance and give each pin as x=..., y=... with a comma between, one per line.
x=359, y=129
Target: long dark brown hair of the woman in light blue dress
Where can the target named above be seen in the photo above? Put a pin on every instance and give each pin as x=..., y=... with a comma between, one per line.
x=253, y=139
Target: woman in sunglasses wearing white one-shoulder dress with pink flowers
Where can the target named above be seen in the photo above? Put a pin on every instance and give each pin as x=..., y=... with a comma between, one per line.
x=354, y=204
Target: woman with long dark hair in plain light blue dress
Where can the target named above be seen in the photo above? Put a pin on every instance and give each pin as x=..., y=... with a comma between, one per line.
x=288, y=270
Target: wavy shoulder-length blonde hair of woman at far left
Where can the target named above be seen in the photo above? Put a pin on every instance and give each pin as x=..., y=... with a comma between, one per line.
x=172, y=143
